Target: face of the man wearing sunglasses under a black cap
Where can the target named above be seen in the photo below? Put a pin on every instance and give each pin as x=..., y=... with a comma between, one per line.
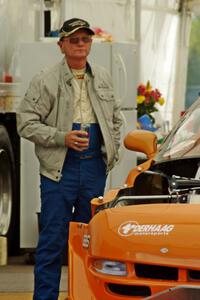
x=77, y=45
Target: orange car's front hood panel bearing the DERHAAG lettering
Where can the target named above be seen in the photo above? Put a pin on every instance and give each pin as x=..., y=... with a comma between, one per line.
x=153, y=233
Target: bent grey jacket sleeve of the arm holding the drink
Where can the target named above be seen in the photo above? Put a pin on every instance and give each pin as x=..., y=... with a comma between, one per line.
x=32, y=113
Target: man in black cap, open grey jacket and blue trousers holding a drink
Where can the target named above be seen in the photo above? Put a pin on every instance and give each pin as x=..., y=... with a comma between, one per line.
x=59, y=104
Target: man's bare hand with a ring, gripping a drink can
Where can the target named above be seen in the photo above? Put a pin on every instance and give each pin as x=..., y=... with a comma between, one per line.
x=77, y=140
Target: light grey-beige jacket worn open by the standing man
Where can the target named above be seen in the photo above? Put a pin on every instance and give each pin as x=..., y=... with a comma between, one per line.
x=45, y=115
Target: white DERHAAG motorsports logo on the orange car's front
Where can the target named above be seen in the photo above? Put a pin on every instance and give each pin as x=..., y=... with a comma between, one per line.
x=129, y=228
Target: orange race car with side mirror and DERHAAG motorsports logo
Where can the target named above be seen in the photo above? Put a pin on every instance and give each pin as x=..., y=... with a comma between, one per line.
x=143, y=239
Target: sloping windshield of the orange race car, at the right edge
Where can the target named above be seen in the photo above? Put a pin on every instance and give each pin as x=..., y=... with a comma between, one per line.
x=184, y=140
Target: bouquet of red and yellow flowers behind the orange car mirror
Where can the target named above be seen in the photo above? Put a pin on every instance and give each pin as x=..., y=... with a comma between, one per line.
x=147, y=100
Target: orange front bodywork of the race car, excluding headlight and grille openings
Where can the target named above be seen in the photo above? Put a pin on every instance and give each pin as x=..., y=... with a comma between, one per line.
x=163, y=235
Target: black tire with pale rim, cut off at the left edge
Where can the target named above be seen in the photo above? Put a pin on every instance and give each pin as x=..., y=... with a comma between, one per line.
x=8, y=203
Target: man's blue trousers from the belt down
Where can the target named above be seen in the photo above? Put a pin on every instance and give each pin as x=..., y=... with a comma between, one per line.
x=82, y=180
